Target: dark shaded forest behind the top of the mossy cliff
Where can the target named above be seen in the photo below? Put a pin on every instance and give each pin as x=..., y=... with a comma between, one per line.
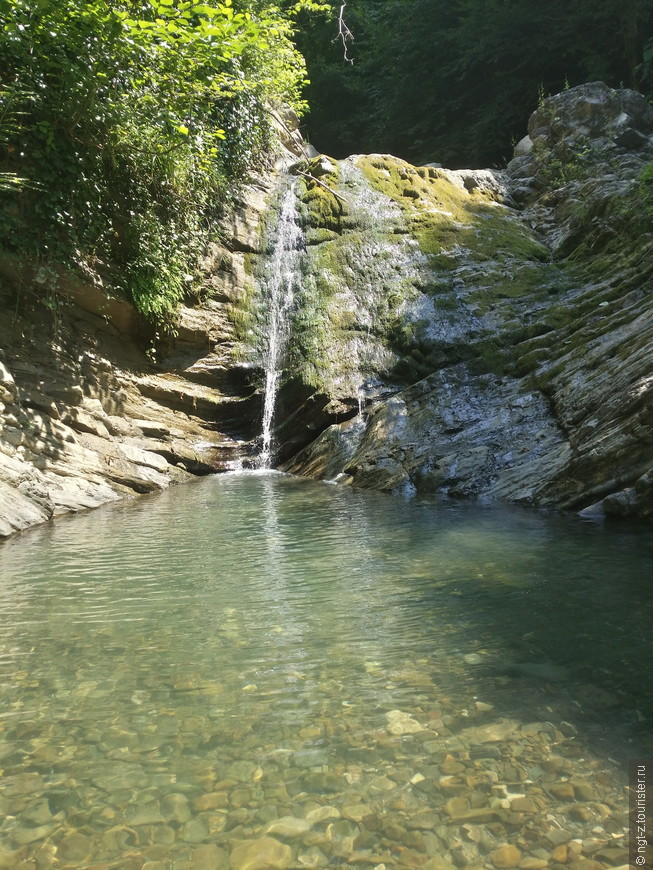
x=454, y=81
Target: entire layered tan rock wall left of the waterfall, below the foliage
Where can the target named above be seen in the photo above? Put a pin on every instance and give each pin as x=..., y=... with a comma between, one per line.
x=87, y=417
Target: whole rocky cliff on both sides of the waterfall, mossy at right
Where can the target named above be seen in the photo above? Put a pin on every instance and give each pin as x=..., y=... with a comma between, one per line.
x=475, y=333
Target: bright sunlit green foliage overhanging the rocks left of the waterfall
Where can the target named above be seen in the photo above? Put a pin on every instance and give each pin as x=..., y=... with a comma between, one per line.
x=132, y=123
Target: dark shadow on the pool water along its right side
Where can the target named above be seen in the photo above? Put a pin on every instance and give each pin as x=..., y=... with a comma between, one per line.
x=554, y=627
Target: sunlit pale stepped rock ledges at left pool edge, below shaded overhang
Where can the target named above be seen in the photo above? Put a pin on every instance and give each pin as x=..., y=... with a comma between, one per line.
x=86, y=421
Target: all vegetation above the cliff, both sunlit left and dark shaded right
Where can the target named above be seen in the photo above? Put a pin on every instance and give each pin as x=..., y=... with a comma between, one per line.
x=125, y=125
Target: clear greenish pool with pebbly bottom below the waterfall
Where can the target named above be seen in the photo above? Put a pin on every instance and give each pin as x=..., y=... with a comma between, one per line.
x=255, y=671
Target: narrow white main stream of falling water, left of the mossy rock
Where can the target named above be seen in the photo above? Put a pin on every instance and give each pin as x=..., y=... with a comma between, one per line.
x=279, y=289
